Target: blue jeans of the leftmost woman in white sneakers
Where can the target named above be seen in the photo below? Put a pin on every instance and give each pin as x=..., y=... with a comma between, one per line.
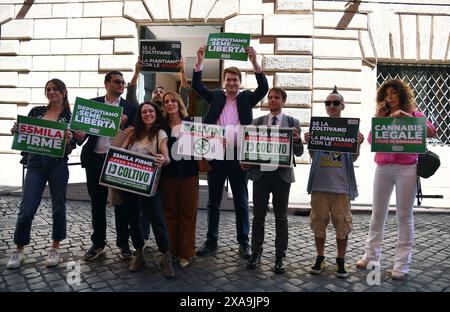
x=43, y=169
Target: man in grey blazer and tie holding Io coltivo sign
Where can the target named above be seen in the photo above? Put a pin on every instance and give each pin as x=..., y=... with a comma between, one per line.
x=276, y=181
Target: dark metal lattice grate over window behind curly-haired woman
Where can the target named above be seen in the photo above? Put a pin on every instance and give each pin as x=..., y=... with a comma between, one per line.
x=431, y=87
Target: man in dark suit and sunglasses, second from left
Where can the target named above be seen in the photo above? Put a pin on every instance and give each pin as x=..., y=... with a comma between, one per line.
x=92, y=158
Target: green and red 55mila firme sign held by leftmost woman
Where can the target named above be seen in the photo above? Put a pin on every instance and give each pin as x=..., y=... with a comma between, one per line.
x=40, y=136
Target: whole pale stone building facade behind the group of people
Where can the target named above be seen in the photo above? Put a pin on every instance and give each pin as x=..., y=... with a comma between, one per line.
x=304, y=46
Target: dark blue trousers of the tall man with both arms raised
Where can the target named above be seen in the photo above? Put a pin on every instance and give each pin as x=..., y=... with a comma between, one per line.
x=220, y=169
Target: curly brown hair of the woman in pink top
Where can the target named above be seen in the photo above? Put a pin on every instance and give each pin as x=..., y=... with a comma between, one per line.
x=405, y=96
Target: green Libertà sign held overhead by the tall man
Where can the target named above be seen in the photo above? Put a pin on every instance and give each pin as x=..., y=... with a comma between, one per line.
x=227, y=46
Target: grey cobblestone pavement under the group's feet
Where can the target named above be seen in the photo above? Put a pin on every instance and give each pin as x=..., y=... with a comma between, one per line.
x=224, y=272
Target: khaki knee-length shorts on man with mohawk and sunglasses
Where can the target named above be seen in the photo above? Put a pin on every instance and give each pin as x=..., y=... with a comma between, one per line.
x=337, y=206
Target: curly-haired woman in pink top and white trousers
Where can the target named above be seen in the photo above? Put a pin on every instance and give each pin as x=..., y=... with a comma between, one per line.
x=394, y=99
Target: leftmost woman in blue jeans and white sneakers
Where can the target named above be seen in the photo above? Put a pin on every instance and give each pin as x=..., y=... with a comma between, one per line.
x=40, y=170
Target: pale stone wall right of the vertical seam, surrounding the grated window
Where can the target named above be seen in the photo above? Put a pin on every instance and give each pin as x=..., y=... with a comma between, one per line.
x=350, y=38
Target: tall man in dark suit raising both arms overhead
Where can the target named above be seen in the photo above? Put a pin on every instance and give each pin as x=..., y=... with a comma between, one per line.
x=229, y=108
